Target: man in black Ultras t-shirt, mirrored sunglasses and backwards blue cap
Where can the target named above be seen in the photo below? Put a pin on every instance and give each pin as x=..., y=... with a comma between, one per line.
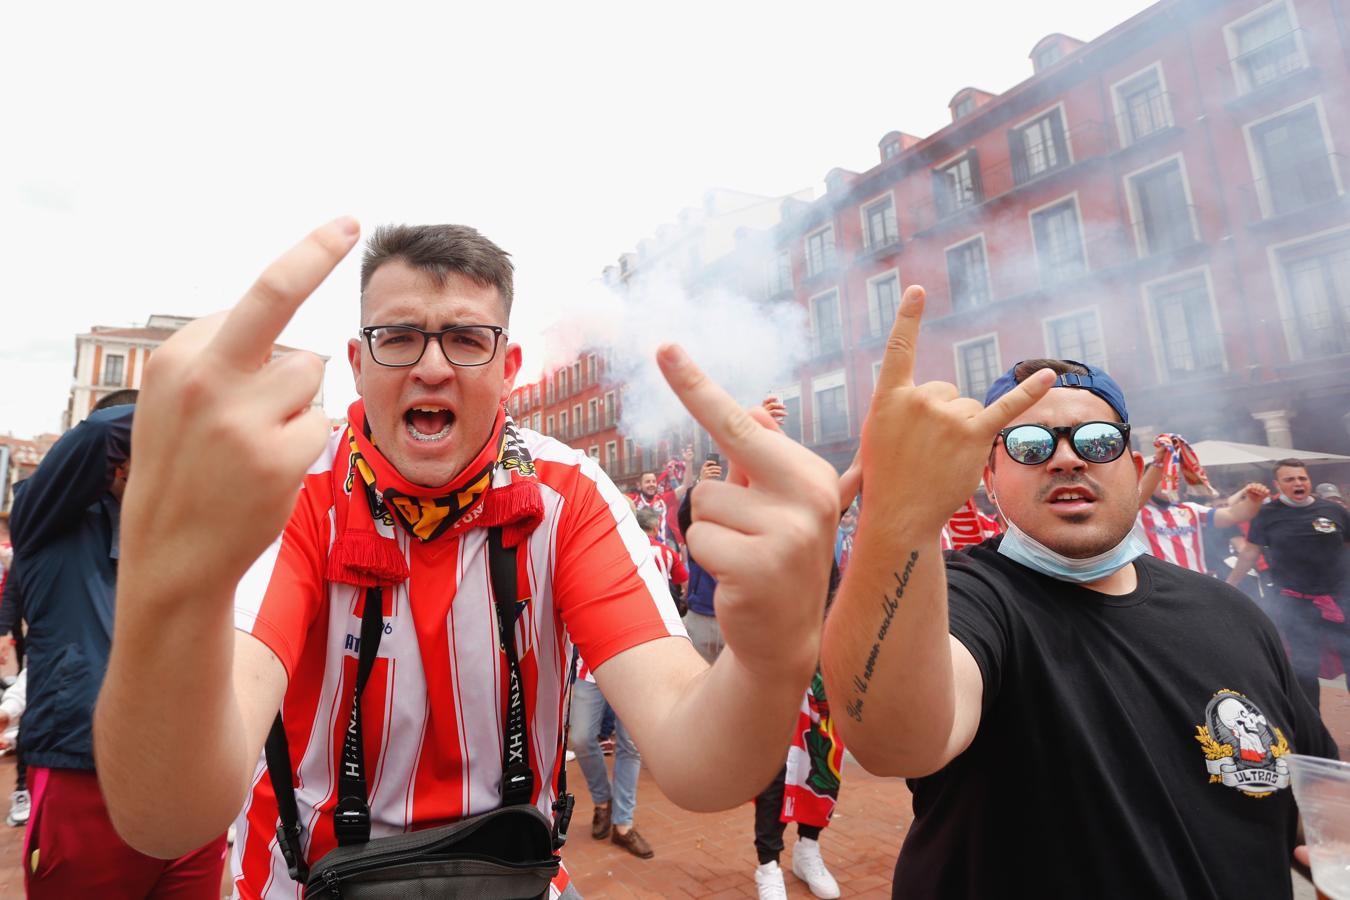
x=1077, y=717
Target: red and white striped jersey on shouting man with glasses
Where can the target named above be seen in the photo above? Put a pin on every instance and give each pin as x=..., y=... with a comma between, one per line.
x=433, y=710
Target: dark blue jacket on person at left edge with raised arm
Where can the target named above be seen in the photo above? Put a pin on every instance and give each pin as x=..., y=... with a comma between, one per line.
x=64, y=526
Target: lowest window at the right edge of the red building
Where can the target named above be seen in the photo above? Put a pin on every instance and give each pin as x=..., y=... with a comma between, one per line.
x=1318, y=280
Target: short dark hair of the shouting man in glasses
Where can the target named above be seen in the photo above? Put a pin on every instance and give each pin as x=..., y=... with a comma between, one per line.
x=441, y=252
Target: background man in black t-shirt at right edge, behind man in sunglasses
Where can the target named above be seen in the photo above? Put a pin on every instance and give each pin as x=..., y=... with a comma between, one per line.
x=1305, y=543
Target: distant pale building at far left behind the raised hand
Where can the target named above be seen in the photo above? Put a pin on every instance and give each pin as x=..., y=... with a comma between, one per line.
x=114, y=358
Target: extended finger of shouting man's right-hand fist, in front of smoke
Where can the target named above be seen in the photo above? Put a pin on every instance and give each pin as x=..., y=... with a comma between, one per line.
x=755, y=449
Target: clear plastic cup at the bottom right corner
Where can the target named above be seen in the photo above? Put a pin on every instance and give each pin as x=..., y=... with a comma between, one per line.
x=1322, y=790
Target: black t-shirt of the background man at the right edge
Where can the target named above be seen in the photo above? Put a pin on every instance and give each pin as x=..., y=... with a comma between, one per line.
x=1305, y=547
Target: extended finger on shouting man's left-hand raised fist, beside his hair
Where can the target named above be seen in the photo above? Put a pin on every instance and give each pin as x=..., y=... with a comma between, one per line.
x=254, y=325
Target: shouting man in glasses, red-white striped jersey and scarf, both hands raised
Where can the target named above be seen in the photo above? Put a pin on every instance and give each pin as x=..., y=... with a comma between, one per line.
x=223, y=623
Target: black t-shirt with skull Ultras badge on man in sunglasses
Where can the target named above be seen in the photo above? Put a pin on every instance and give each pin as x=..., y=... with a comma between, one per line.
x=1129, y=747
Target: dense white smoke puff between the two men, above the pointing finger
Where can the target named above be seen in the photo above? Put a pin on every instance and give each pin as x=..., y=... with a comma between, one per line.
x=747, y=347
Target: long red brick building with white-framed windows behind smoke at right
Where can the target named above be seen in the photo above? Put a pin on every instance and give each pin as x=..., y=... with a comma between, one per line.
x=1168, y=202
